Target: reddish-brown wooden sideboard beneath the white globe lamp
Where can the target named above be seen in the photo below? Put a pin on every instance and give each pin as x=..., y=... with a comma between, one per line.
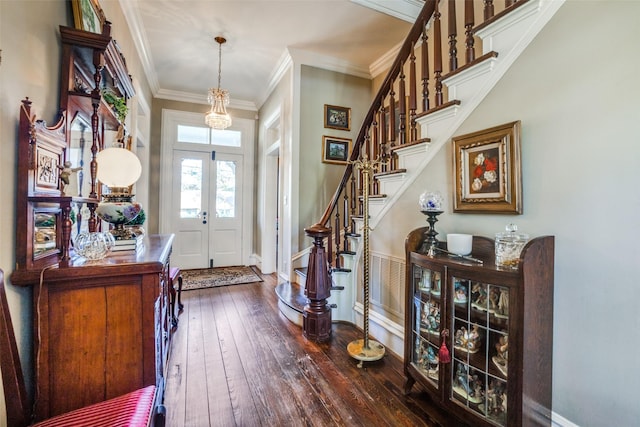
x=101, y=328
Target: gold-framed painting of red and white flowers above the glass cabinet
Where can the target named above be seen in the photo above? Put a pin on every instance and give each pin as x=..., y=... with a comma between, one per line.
x=487, y=171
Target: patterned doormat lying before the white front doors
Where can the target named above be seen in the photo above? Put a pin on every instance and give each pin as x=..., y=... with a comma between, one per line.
x=219, y=276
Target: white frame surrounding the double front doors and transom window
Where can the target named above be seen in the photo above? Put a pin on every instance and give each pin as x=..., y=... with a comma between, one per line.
x=170, y=121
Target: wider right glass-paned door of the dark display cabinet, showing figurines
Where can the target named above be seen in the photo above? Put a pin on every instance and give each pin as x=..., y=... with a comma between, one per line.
x=480, y=348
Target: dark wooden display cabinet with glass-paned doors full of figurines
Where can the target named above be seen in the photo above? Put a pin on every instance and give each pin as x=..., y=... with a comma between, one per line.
x=497, y=325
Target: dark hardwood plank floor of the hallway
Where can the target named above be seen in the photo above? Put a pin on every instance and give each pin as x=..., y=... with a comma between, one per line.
x=237, y=361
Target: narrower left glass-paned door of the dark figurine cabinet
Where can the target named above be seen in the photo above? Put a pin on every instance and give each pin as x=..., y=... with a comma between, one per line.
x=426, y=310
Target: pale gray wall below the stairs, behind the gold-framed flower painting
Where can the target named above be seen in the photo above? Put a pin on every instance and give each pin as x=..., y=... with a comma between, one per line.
x=576, y=91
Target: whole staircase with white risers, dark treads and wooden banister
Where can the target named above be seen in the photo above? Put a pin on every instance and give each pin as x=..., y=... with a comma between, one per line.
x=503, y=36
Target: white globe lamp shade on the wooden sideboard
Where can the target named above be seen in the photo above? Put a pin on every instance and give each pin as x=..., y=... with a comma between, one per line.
x=118, y=167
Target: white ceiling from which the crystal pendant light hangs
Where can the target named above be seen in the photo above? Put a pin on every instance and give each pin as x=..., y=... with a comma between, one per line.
x=175, y=39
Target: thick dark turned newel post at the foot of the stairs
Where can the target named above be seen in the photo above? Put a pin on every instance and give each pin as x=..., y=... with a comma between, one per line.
x=316, y=320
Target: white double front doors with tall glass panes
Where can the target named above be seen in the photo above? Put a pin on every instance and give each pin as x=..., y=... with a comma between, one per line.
x=206, y=209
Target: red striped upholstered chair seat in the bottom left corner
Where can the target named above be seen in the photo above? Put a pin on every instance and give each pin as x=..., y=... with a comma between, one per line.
x=131, y=409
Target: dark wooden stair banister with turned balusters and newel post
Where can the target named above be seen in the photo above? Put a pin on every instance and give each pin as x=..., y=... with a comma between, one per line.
x=382, y=132
